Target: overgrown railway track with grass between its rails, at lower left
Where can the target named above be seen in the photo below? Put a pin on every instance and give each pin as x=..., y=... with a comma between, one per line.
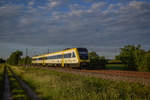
x=15, y=88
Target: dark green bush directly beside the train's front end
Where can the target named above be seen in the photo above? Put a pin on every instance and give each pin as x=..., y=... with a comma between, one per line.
x=96, y=60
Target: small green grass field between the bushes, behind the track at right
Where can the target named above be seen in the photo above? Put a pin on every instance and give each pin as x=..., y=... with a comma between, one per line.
x=116, y=67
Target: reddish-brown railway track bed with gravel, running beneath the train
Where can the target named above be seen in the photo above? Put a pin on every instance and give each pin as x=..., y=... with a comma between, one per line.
x=116, y=75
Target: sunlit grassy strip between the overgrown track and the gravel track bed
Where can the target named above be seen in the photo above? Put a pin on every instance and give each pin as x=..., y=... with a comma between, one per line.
x=52, y=85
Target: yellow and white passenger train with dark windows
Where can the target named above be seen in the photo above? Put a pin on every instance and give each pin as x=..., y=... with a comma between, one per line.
x=70, y=57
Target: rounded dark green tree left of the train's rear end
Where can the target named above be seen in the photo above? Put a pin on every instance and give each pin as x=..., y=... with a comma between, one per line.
x=14, y=58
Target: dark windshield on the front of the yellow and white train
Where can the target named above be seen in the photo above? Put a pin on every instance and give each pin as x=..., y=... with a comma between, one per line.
x=83, y=53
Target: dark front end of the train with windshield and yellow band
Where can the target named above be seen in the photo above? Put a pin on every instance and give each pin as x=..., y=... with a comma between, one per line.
x=84, y=58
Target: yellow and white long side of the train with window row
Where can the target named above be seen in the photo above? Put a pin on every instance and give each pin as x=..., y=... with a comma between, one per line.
x=63, y=58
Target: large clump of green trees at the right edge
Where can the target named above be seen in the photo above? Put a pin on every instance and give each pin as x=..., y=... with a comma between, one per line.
x=135, y=58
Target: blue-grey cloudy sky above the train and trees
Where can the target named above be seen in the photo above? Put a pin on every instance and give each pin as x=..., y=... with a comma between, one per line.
x=103, y=26
